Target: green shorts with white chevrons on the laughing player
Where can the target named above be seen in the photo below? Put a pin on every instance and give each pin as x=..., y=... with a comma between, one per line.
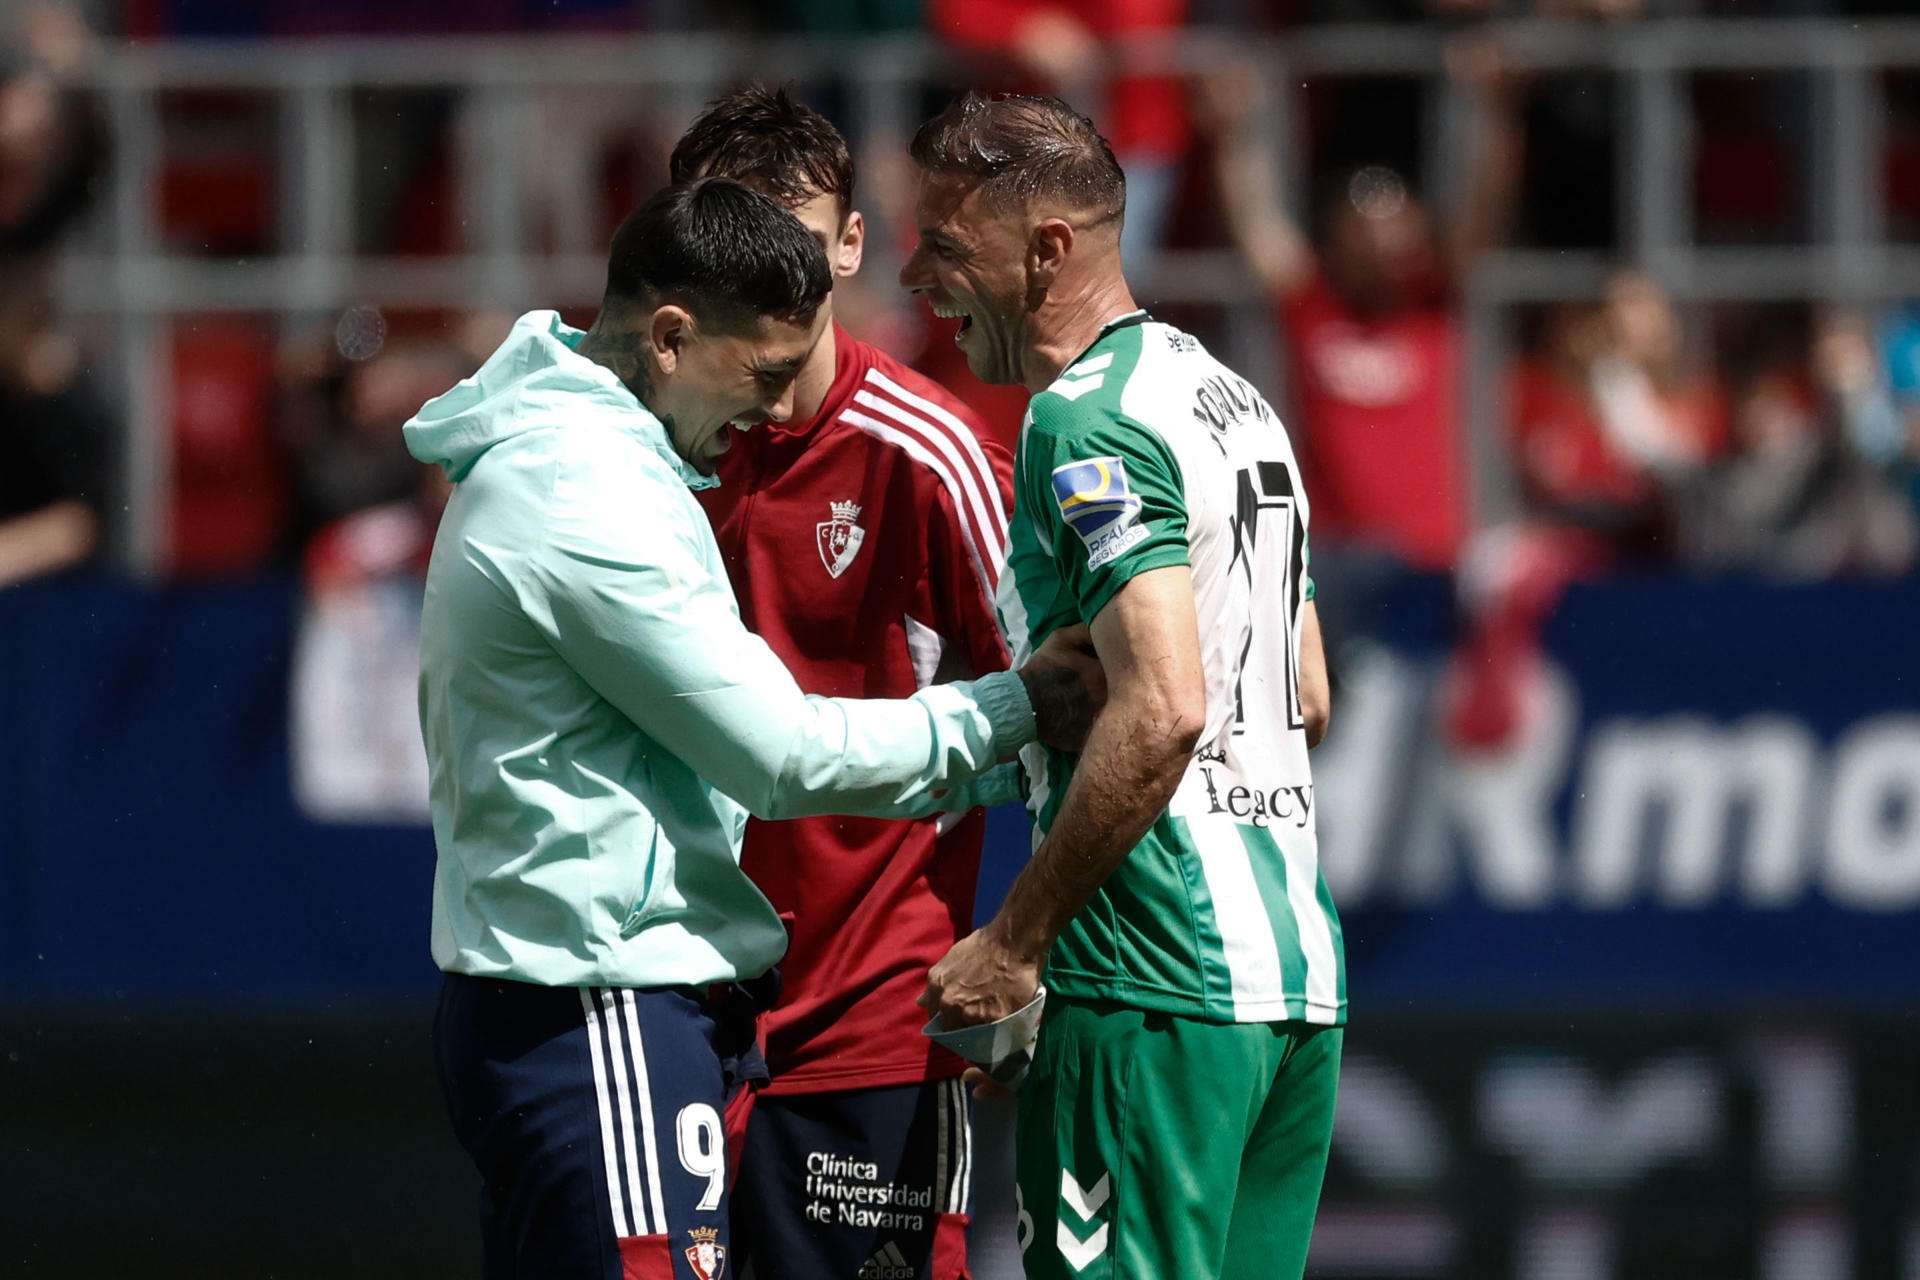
x=1159, y=1147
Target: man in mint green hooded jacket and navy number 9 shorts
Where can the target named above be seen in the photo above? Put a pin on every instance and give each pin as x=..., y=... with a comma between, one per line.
x=600, y=724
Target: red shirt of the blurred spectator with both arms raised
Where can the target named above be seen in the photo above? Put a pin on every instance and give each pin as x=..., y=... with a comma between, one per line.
x=1380, y=425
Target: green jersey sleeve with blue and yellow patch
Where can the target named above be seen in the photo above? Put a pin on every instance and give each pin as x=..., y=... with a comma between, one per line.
x=1109, y=496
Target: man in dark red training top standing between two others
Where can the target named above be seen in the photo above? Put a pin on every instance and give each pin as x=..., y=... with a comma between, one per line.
x=865, y=540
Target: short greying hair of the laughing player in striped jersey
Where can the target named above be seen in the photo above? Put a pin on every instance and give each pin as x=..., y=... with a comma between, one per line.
x=1020, y=151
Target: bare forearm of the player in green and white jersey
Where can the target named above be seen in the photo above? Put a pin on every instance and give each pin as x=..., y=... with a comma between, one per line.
x=1126, y=778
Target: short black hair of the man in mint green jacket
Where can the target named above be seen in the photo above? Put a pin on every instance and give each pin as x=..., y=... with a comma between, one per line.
x=721, y=250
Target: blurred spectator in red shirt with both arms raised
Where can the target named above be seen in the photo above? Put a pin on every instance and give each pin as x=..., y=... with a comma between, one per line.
x=1372, y=314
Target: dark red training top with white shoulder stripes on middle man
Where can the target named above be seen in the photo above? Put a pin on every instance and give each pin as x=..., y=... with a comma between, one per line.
x=865, y=548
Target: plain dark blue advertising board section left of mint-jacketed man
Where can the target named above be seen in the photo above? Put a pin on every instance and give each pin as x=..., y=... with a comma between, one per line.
x=151, y=845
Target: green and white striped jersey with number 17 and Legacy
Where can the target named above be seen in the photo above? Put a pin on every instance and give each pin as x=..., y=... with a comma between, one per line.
x=1147, y=452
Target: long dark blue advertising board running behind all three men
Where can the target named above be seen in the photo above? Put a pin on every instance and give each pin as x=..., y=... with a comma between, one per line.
x=1716, y=797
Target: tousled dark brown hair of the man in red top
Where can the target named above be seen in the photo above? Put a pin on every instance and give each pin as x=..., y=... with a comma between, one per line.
x=771, y=141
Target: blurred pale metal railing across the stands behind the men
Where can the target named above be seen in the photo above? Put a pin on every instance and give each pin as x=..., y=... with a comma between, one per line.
x=126, y=277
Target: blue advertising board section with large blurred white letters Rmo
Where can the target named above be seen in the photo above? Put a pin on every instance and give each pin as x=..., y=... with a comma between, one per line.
x=1714, y=797
